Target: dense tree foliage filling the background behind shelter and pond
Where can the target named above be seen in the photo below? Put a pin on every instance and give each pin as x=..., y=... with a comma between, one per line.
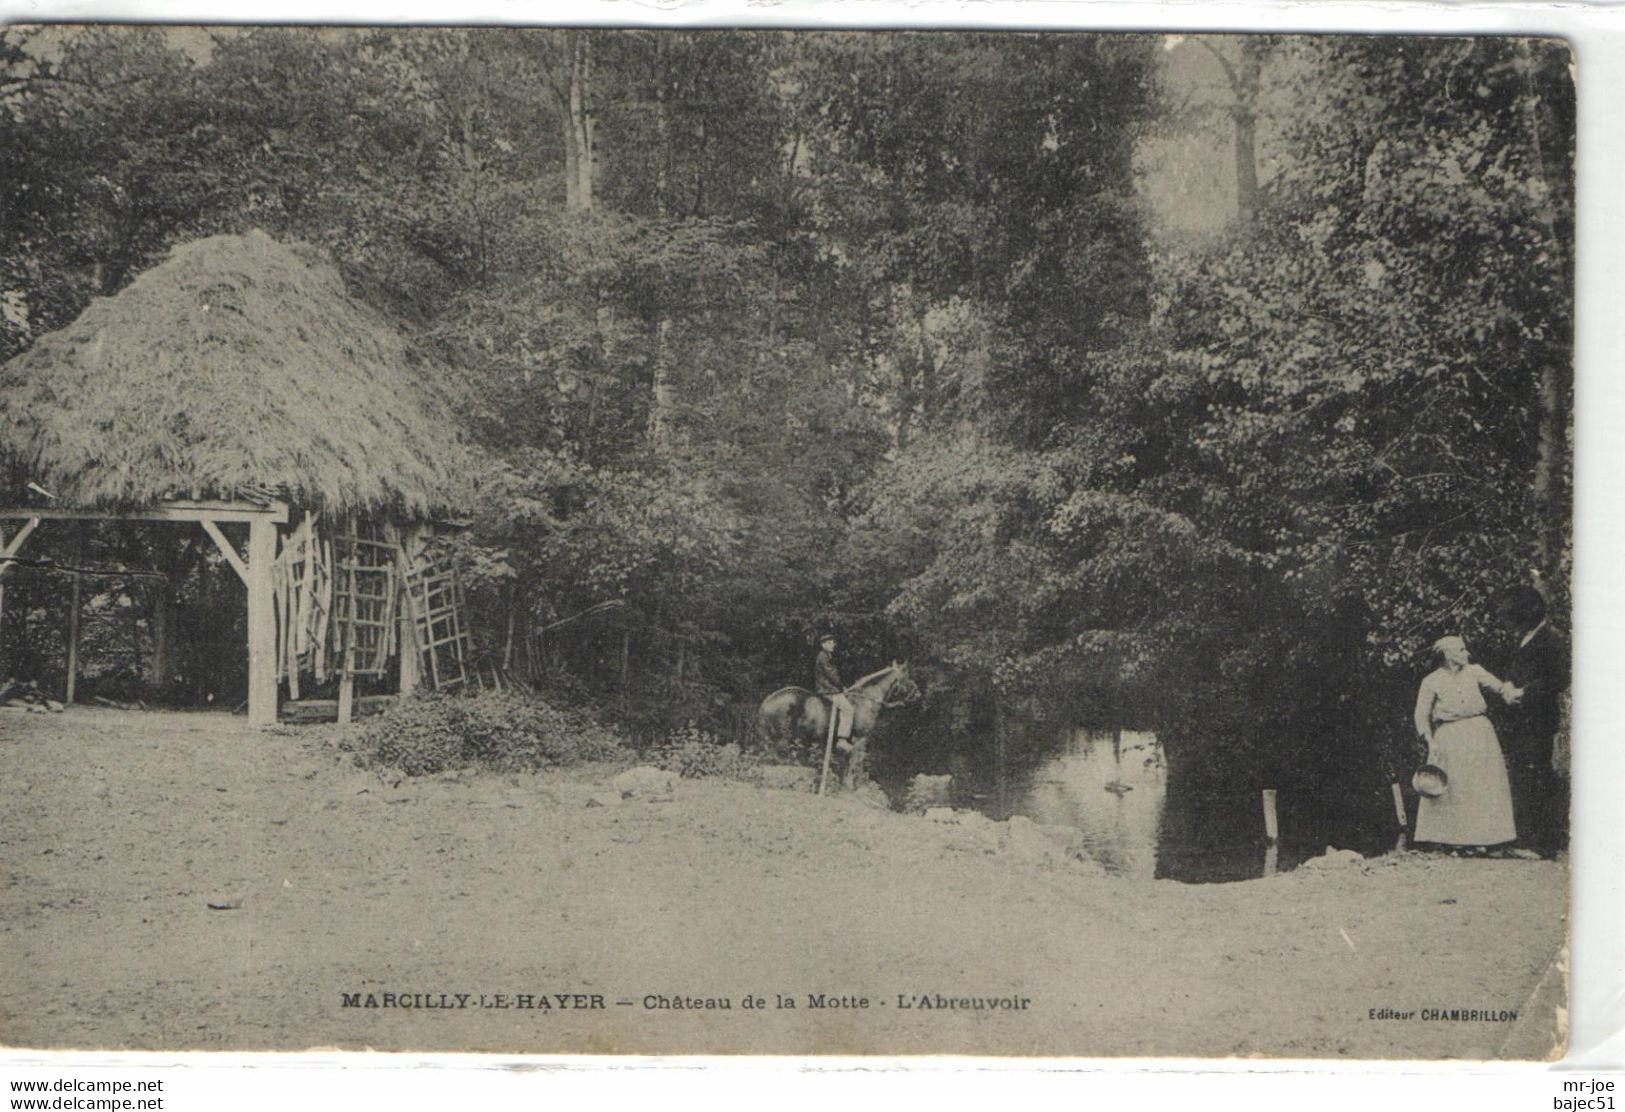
x=766, y=332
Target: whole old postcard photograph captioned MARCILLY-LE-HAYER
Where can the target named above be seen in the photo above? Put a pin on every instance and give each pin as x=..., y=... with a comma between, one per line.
x=787, y=542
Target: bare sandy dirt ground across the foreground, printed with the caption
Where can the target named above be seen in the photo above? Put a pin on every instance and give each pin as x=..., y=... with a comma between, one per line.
x=121, y=830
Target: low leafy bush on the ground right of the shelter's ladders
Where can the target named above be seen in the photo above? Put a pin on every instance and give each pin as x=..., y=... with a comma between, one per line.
x=498, y=731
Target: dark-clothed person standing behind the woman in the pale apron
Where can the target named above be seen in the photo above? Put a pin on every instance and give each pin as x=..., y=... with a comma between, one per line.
x=1540, y=666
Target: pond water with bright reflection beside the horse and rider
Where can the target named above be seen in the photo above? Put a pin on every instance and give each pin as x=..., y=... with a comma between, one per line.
x=1133, y=814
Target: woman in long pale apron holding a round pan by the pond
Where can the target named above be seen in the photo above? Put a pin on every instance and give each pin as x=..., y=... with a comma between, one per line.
x=1478, y=807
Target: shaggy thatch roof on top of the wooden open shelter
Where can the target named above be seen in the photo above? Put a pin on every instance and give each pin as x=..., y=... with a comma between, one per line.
x=236, y=365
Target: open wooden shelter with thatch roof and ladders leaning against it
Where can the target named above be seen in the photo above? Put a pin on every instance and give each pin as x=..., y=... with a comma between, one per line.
x=223, y=388
